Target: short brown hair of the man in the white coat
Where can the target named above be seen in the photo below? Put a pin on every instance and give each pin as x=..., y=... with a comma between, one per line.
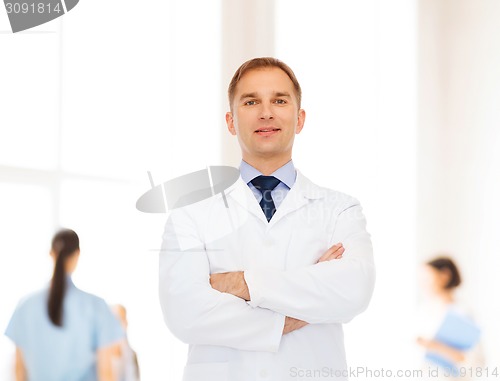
x=262, y=63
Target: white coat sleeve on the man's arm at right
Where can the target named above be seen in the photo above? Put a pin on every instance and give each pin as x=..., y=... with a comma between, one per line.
x=328, y=292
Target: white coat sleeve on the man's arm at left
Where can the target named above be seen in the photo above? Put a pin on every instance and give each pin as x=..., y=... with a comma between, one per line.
x=193, y=310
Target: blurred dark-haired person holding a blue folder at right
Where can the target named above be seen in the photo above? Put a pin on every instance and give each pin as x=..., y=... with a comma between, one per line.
x=449, y=335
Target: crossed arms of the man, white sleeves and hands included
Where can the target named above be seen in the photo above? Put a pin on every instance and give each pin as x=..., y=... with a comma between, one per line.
x=252, y=310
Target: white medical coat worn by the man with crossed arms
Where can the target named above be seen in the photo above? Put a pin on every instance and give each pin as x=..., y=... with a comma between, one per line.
x=231, y=339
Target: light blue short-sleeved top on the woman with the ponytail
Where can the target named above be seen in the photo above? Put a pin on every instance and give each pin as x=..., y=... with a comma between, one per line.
x=66, y=353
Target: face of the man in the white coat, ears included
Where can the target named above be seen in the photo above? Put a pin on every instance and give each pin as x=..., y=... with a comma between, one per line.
x=265, y=115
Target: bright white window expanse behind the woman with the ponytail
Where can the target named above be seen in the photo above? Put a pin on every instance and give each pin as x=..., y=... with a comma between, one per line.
x=88, y=104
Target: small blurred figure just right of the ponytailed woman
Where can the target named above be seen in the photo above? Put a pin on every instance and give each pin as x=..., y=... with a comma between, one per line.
x=125, y=359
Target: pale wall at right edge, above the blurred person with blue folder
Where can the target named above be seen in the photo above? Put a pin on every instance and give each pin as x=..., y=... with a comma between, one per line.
x=458, y=155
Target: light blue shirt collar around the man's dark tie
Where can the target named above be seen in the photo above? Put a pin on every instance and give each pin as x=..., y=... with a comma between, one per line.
x=286, y=174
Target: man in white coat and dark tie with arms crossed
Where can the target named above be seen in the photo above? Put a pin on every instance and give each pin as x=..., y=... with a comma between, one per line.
x=260, y=287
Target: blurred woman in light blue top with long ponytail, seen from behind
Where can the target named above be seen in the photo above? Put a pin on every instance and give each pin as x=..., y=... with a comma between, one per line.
x=62, y=333
